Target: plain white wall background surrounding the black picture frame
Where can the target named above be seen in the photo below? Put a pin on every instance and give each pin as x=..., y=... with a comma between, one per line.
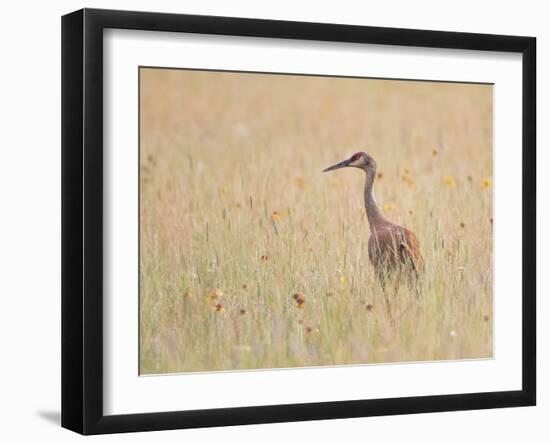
x=30, y=218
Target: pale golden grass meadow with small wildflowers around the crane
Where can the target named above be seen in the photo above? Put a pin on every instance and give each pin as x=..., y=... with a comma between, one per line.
x=251, y=258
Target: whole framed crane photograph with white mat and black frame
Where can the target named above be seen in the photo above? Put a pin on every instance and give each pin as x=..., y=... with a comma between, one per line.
x=269, y=221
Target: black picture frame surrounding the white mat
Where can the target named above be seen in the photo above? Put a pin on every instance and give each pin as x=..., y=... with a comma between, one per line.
x=82, y=220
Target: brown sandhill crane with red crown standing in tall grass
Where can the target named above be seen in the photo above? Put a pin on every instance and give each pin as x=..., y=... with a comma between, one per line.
x=394, y=251
